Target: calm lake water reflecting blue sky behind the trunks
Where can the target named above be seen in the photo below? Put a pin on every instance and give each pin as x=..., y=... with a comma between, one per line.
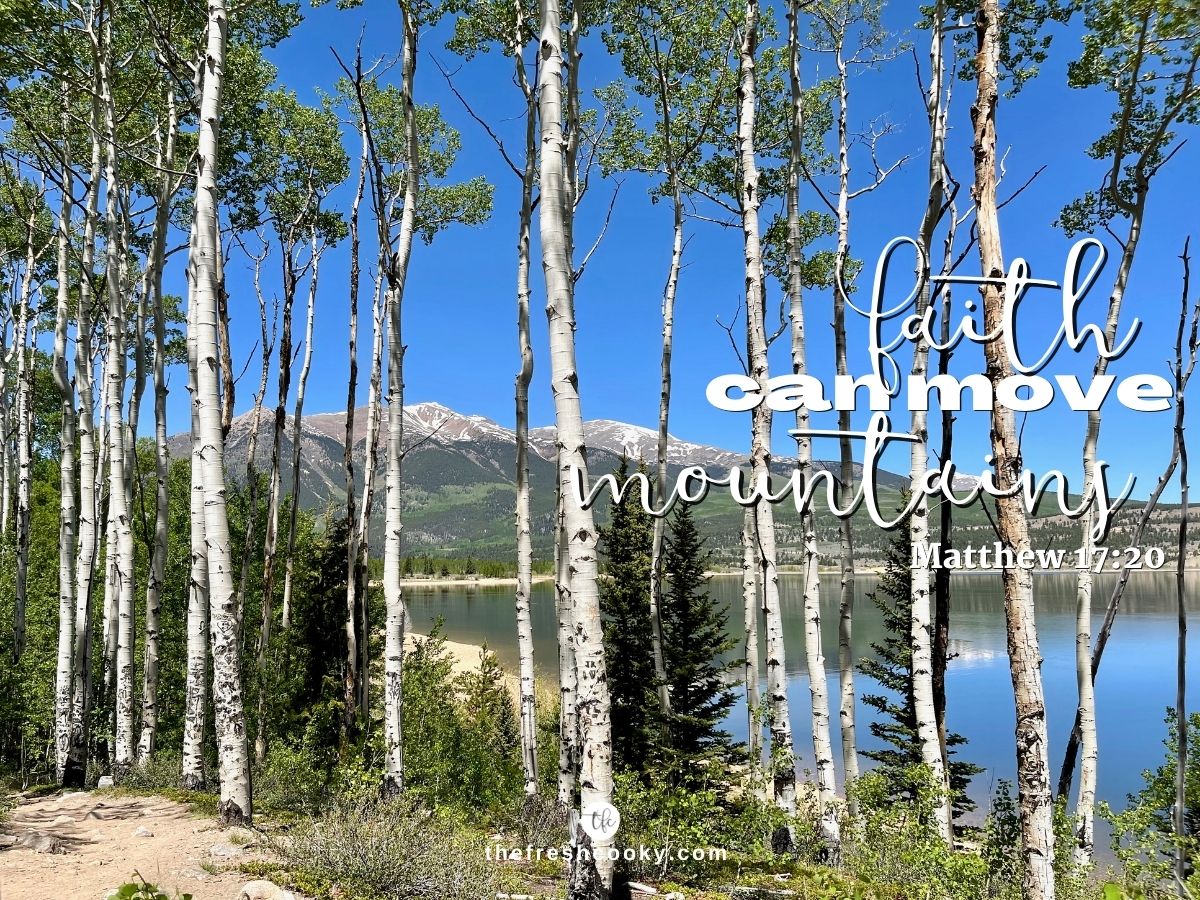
x=1136, y=683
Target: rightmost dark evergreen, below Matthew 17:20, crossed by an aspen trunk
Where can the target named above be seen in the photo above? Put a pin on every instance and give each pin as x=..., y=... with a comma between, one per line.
x=892, y=668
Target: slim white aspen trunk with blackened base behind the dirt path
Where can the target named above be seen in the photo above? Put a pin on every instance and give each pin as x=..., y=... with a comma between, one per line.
x=88, y=532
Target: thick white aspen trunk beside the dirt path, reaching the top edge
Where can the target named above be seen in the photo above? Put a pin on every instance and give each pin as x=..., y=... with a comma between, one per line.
x=231, y=727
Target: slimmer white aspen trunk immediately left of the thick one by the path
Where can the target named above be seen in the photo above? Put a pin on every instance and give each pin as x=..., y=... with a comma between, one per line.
x=197, y=665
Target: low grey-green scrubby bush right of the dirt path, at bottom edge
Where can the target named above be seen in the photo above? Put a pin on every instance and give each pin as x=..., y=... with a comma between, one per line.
x=388, y=849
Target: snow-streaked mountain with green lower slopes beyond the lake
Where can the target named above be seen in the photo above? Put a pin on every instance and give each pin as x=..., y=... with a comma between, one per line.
x=459, y=476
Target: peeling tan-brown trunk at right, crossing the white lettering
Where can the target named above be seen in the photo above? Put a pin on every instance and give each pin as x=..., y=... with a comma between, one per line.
x=1025, y=659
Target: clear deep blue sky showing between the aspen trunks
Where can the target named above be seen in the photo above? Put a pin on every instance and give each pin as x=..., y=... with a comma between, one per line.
x=460, y=323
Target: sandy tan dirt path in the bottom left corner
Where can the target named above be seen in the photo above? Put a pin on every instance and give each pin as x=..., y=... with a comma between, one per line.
x=81, y=847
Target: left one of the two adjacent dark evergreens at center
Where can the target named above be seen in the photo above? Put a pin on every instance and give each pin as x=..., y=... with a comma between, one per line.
x=625, y=603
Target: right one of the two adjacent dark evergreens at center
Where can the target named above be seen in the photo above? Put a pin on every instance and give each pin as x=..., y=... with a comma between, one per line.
x=697, y=646
